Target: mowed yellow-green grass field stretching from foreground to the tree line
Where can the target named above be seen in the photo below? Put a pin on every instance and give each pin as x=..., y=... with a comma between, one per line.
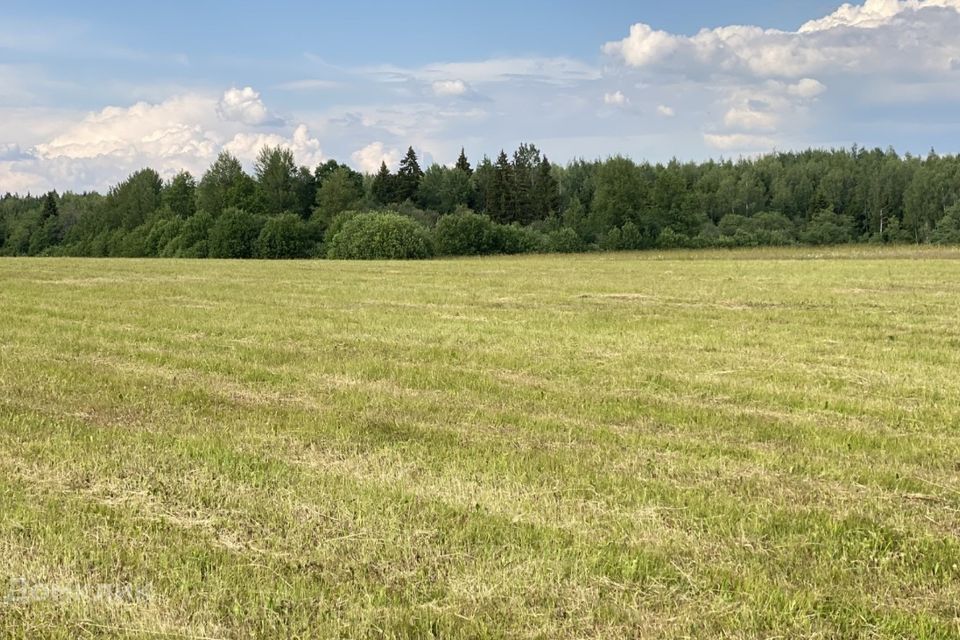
x=738, y=444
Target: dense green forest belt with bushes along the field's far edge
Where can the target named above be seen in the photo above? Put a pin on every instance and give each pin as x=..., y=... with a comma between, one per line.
x=510, y=204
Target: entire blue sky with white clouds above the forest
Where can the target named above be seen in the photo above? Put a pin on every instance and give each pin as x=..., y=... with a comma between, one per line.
x=90, y=92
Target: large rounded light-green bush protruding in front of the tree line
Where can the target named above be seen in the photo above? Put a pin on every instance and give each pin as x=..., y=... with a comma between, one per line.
x=380, y=236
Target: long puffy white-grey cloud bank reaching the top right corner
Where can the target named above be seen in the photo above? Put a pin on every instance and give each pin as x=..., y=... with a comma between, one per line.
x=880, y=35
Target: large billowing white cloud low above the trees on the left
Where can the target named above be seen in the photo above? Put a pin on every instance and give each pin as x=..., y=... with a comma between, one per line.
x=183, y=132
